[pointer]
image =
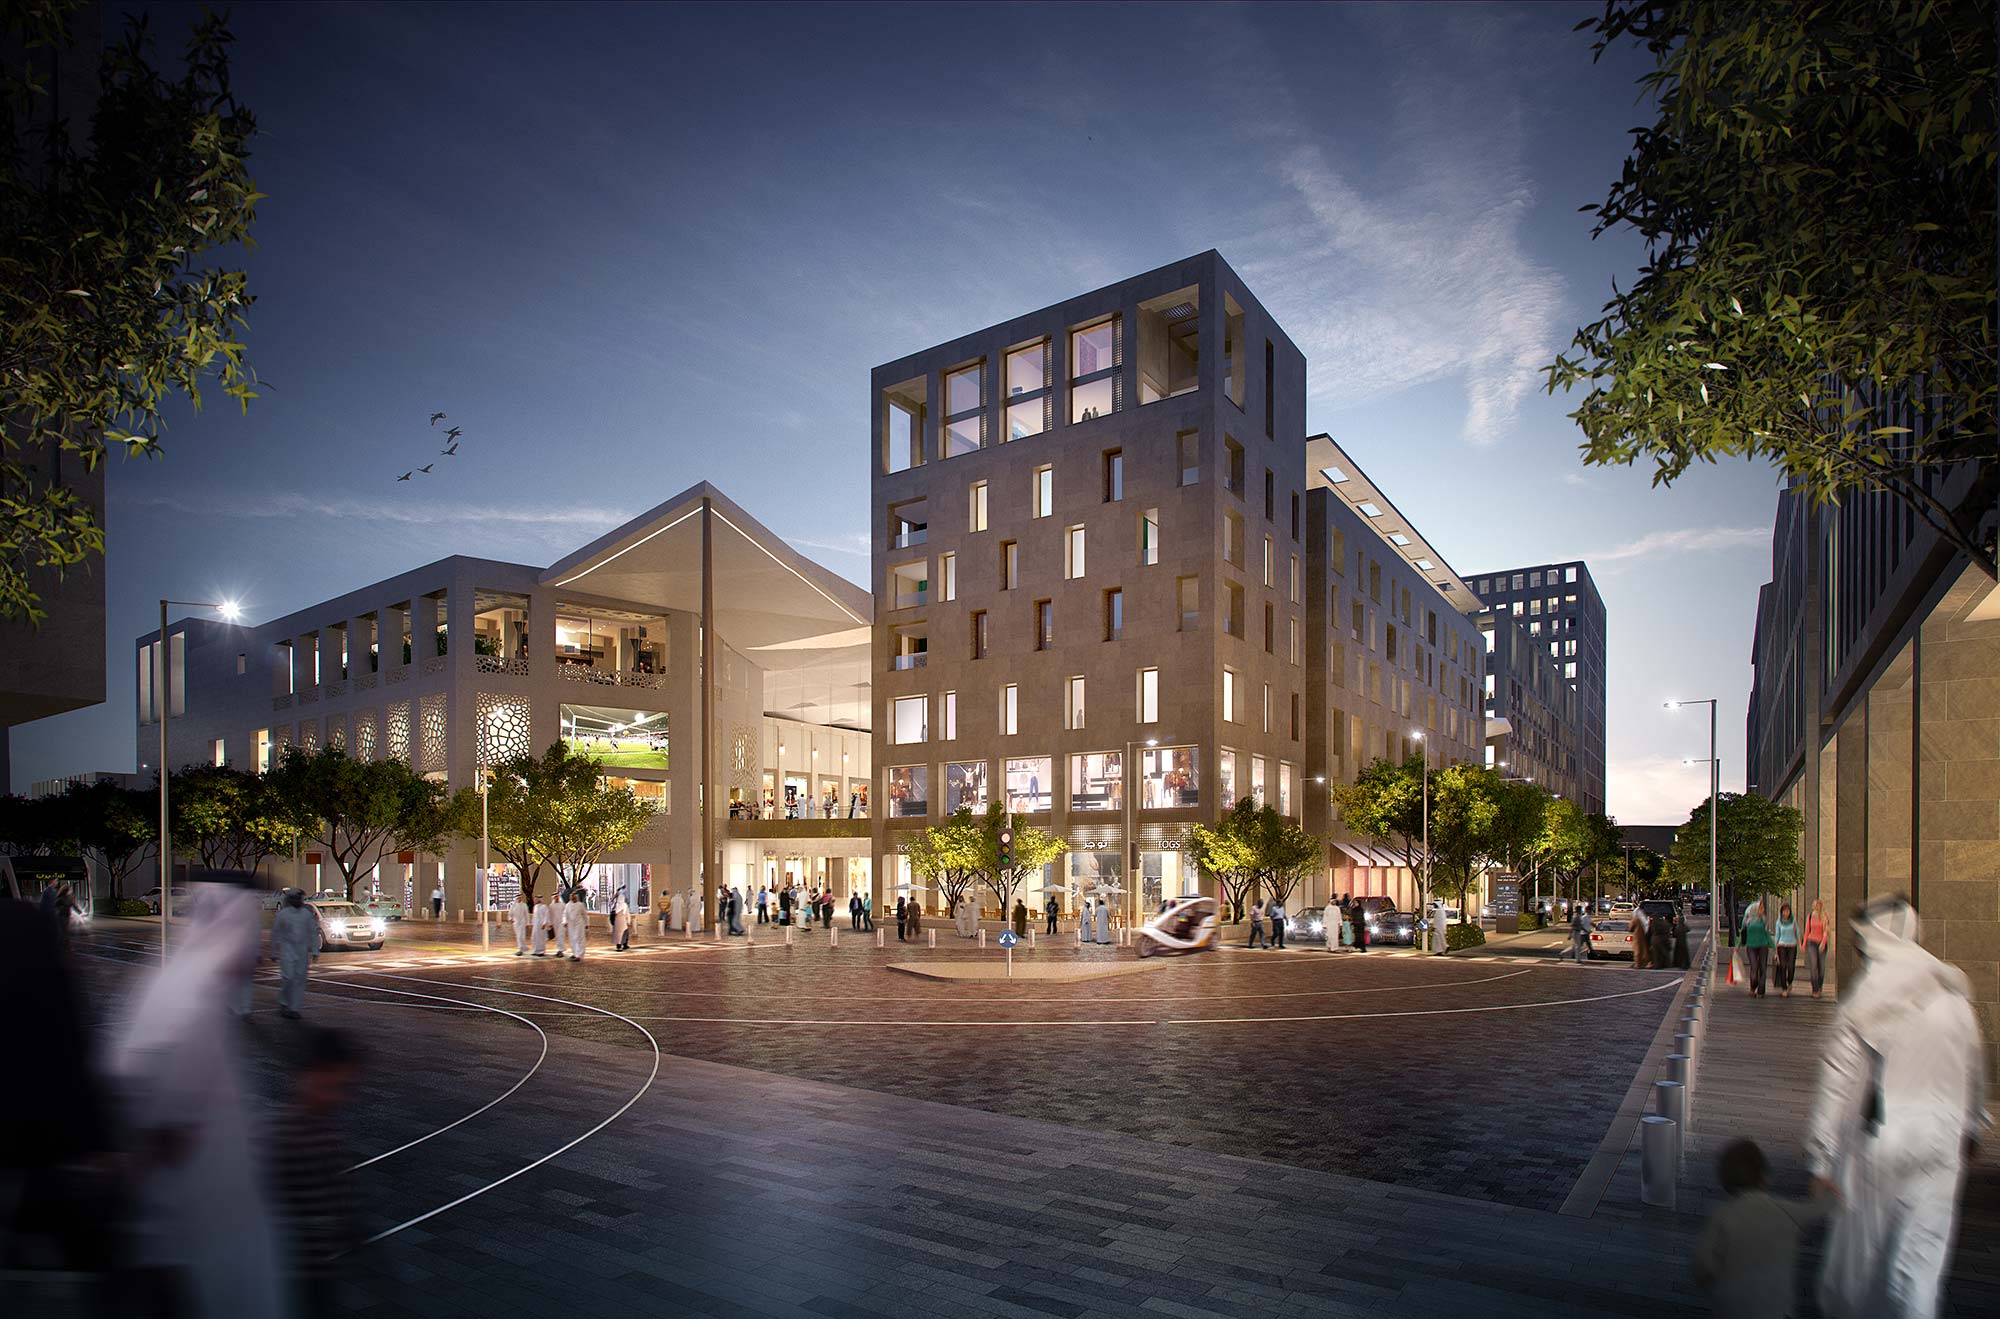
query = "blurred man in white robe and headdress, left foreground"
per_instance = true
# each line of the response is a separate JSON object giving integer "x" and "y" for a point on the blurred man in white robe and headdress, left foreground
{"x": 201, "y": 1202}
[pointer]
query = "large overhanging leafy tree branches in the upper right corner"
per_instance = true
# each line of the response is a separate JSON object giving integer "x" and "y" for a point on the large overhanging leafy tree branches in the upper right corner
{"x": 1819, "y": 217}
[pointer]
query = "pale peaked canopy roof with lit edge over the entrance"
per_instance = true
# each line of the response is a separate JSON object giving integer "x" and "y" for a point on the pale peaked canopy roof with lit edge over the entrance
{"x": 805, "y": 627}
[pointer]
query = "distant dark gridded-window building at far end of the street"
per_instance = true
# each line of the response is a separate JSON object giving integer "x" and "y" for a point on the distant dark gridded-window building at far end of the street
{"x": 1557, "y": 629}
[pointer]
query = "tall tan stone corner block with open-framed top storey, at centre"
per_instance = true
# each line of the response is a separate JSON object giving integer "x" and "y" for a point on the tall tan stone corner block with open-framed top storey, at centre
{"x": 1089, "y": 555}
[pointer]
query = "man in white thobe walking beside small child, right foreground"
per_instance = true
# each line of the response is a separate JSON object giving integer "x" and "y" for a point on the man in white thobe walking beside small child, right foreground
{"x": 1899, "y": 1116}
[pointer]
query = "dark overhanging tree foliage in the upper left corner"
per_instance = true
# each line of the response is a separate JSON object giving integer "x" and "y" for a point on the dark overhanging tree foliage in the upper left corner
{"x": 111, "y": 303}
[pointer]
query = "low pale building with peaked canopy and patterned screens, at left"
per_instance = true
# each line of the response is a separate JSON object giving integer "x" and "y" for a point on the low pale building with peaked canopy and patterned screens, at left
{"x": 465, "y": 662}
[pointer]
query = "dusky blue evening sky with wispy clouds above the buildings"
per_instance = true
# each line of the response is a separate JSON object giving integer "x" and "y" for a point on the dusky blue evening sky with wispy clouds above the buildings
{"x": 633, "y": 247}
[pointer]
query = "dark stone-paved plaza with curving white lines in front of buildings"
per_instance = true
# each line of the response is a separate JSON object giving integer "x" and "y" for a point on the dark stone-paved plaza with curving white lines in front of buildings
{"x": 1231, "y": 1134}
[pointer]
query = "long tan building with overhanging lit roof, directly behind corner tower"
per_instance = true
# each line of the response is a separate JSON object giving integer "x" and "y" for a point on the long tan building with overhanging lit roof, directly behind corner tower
{"x": 1395, "y": 662}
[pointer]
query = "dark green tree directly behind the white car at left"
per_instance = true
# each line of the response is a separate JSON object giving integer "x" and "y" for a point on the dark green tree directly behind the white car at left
{"x": 359, "y": 810}
